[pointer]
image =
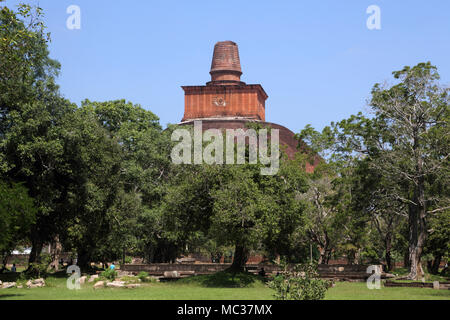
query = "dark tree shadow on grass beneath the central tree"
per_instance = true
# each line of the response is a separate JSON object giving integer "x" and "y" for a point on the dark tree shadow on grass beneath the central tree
{"x": 223, "y": 280}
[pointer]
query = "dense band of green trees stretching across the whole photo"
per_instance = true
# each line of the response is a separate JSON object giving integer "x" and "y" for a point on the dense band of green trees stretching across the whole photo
{"x": 97, "y": 180}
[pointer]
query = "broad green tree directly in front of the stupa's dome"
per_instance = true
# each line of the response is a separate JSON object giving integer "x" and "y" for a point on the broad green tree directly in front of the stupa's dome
{"x": 234, "y": 205}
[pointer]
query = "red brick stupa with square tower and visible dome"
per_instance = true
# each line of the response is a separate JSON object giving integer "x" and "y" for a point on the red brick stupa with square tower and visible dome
{"x": 228, "y": 103}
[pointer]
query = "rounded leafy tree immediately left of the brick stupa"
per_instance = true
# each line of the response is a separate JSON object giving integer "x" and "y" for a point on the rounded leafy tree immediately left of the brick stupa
{"x": 121, "y": 161}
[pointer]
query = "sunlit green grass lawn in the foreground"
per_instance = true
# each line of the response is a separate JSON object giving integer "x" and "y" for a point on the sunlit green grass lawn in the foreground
{"x": 213, "y": 287}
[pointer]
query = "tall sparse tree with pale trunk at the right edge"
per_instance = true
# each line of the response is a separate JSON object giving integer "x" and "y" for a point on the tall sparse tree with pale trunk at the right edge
{"x": 415, "y": 114}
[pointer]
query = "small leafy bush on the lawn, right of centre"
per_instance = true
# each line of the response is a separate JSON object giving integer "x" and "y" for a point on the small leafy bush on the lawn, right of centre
{"x": 302, "y": 283}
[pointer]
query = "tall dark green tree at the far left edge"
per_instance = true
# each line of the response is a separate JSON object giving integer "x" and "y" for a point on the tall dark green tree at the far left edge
{"x": 31, "y": 113}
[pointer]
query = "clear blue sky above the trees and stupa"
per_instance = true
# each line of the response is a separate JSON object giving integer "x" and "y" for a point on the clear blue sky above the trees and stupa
{"x": 316, "y": 59}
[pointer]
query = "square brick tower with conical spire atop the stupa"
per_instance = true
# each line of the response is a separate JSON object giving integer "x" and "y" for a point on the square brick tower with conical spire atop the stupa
{"x": 225, "y": 96}
